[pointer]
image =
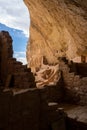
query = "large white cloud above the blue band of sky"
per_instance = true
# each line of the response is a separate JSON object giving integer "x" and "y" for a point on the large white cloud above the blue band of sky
{"x": 14, "y": 14}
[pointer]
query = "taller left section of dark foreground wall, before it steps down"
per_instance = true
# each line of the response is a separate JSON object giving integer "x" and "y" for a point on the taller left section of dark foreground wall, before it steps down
{"x": 21, "y": 110}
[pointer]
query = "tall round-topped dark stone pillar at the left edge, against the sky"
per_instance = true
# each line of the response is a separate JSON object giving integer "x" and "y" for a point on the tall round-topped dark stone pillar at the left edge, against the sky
{"x": 5, "y": 53}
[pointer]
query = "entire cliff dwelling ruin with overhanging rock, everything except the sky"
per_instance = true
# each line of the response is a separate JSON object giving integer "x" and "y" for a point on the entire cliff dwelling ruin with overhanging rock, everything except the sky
{"x": 50, "y": 92}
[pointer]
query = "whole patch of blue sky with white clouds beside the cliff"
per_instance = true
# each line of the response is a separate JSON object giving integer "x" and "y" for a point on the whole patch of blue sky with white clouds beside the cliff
{"x": 14, "y": 17}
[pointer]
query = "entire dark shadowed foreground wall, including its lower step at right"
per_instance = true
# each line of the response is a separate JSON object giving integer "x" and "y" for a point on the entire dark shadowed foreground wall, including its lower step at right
{"x": 28, "y": 109}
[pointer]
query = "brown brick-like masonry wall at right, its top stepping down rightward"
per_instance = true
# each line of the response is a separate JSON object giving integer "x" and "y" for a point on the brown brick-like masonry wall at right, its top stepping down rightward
{"x": 75, "y": 86}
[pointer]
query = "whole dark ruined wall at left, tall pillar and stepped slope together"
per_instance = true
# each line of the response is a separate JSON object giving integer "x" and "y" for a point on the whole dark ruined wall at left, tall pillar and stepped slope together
{"x": 12, "y": 72}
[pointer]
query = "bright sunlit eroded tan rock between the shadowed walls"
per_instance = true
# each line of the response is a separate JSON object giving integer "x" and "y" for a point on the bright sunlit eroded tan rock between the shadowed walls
{"x": 48, "y": 75}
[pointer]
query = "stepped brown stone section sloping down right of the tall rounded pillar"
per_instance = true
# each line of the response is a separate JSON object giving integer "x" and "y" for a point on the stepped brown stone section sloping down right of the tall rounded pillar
{"x": 22, "y": 76}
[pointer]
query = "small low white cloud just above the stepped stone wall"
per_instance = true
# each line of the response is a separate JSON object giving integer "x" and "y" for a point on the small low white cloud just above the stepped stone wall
{"x": 21, "y": 56}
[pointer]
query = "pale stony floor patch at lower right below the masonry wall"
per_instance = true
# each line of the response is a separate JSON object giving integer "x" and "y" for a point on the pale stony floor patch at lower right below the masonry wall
{"x": 75, "y": 112}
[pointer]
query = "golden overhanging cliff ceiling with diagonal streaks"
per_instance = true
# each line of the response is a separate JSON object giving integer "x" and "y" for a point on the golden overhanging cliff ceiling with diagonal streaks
{"x": 58, "y": 28}
